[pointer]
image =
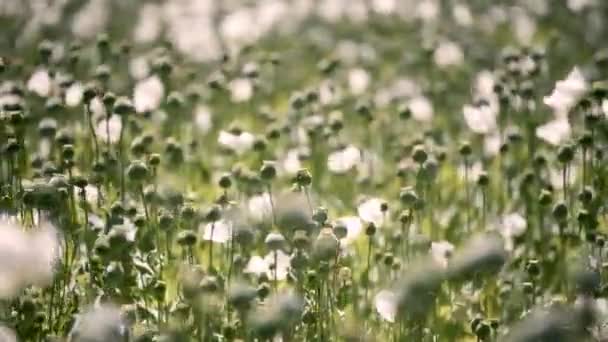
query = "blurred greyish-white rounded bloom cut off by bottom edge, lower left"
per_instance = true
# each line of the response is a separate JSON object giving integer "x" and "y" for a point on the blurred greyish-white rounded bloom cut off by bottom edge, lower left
{"x": 100, "y": 323}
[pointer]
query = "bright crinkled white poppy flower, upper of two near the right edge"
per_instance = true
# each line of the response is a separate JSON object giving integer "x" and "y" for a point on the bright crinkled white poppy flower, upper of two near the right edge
{"x": 567, "y": 92}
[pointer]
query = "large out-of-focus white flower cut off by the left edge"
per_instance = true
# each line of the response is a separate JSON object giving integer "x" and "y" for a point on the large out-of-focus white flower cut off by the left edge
{"x": 26, "y": 258}
